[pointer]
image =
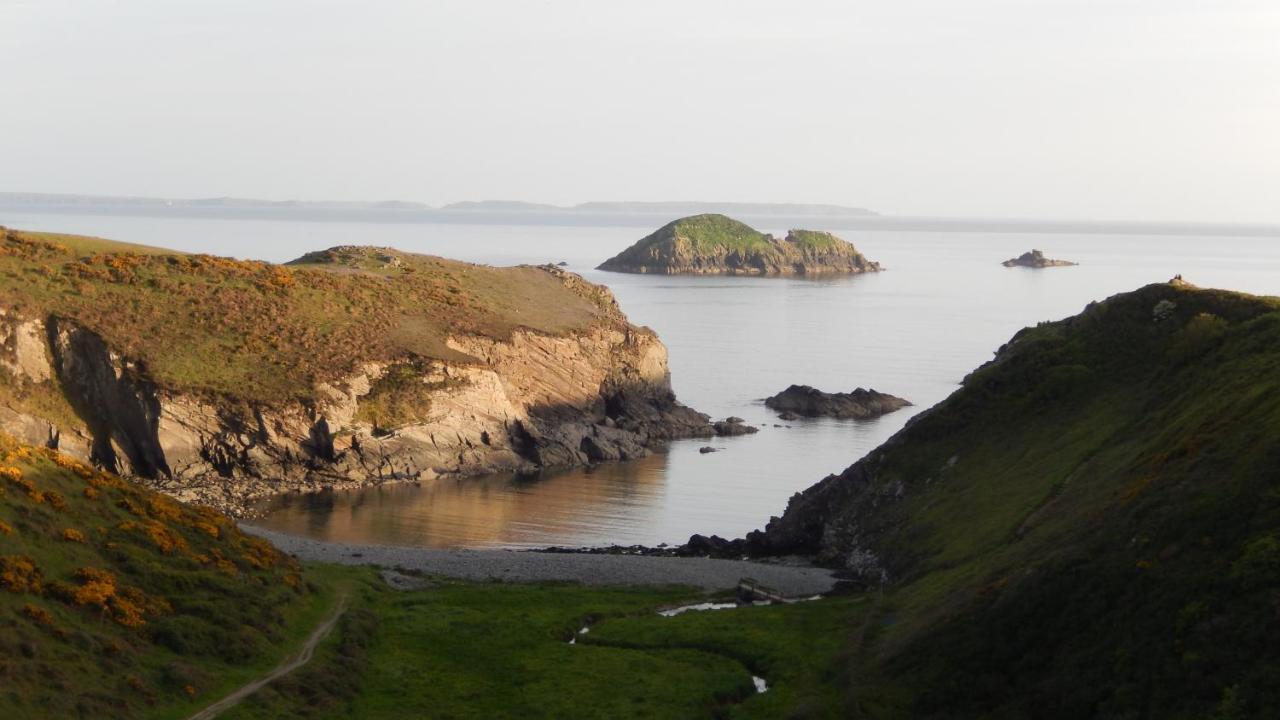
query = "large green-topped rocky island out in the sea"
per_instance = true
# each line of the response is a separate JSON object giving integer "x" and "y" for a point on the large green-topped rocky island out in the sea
{"x": 717, "y": 245}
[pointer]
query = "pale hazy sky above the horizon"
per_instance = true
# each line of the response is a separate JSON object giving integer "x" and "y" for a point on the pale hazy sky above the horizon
{"x": 1118, "y": 110}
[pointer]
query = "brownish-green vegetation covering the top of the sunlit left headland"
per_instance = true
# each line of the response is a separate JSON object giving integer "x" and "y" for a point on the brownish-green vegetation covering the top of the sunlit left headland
{"x": 258, "y": 331}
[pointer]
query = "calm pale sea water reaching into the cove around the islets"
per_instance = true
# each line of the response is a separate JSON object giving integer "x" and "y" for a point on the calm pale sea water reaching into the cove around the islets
{"x": 943, "y": 308}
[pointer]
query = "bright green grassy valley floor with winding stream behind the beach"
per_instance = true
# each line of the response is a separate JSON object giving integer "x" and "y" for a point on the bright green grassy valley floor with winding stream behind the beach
{"x": 465, "y": 650}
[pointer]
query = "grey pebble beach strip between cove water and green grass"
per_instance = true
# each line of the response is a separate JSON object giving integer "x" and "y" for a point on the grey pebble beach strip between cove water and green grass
{"x": 520, "y": 567}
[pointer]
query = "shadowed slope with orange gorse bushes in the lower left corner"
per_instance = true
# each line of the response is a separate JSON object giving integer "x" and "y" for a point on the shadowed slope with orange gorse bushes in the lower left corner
{"x": 120, "y": 603}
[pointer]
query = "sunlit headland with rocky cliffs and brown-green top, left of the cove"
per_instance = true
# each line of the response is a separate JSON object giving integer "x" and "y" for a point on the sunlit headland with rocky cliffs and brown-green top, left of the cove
{"x": 222, "y": 381}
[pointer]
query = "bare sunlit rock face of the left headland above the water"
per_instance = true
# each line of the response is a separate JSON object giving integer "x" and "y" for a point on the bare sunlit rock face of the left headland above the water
{"x": 524, "y": 403}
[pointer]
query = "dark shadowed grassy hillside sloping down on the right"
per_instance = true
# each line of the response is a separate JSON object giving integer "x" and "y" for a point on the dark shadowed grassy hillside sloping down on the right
{"x": 1089, "y": 527}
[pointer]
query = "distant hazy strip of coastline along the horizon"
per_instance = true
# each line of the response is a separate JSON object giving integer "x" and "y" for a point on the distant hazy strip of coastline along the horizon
{"x": 772, "y": 216}
